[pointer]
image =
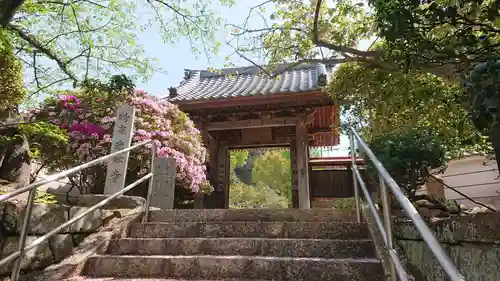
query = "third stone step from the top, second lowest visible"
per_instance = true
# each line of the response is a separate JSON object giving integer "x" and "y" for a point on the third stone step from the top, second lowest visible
{"x": 244, "y": 246}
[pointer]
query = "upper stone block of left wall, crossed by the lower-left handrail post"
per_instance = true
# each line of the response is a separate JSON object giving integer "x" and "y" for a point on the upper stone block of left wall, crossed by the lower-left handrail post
{"x": 44, "y": 217}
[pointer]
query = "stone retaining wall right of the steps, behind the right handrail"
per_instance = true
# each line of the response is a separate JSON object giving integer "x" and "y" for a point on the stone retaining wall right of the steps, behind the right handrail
{"x": 473, "y": 243}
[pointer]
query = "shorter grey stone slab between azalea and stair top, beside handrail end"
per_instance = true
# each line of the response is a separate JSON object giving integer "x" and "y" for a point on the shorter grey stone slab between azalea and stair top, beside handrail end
{"x": 163, "y": 191}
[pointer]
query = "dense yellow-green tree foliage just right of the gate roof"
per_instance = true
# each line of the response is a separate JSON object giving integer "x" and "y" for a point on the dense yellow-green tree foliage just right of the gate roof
{"x": 382, "y": 101}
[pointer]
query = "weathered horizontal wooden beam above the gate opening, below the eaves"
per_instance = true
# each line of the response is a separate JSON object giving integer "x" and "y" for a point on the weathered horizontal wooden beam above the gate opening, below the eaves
{"x": 252, "y": 123}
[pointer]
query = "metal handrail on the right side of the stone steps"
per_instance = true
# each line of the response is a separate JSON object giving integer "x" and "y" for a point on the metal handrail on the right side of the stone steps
{"x": 387, "y": 181}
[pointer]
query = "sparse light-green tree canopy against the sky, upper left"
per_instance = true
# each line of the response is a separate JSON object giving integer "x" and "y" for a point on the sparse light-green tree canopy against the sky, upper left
{"x": 69, "y": 41}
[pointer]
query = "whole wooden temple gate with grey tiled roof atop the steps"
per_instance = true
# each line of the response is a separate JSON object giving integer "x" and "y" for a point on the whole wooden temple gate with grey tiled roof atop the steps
{"x": 243, "y": 108}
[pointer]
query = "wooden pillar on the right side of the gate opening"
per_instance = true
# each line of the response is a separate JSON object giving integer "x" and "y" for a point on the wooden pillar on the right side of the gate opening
{"x": 302, "y": 163}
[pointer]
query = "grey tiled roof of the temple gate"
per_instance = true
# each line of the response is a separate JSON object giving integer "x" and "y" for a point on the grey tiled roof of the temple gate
{"x": 249, "y": 81}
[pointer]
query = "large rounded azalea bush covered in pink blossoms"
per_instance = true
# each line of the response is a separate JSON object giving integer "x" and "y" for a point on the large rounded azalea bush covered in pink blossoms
{"x": 89, "y": 116}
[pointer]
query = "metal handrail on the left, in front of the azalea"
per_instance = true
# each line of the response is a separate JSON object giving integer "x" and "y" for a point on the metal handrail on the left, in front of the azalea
{"x": 31, "y": 188}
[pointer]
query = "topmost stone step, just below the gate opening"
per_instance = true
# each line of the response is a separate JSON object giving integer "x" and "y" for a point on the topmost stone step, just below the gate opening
{"x": 196, "y": 215}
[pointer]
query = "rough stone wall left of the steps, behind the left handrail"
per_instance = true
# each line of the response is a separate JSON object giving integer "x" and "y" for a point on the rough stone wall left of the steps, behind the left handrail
{"x": 46, "y": 217}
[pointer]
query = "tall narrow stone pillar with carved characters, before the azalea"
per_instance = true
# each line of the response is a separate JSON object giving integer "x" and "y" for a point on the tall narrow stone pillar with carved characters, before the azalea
{"x": 122, "y": 137}
